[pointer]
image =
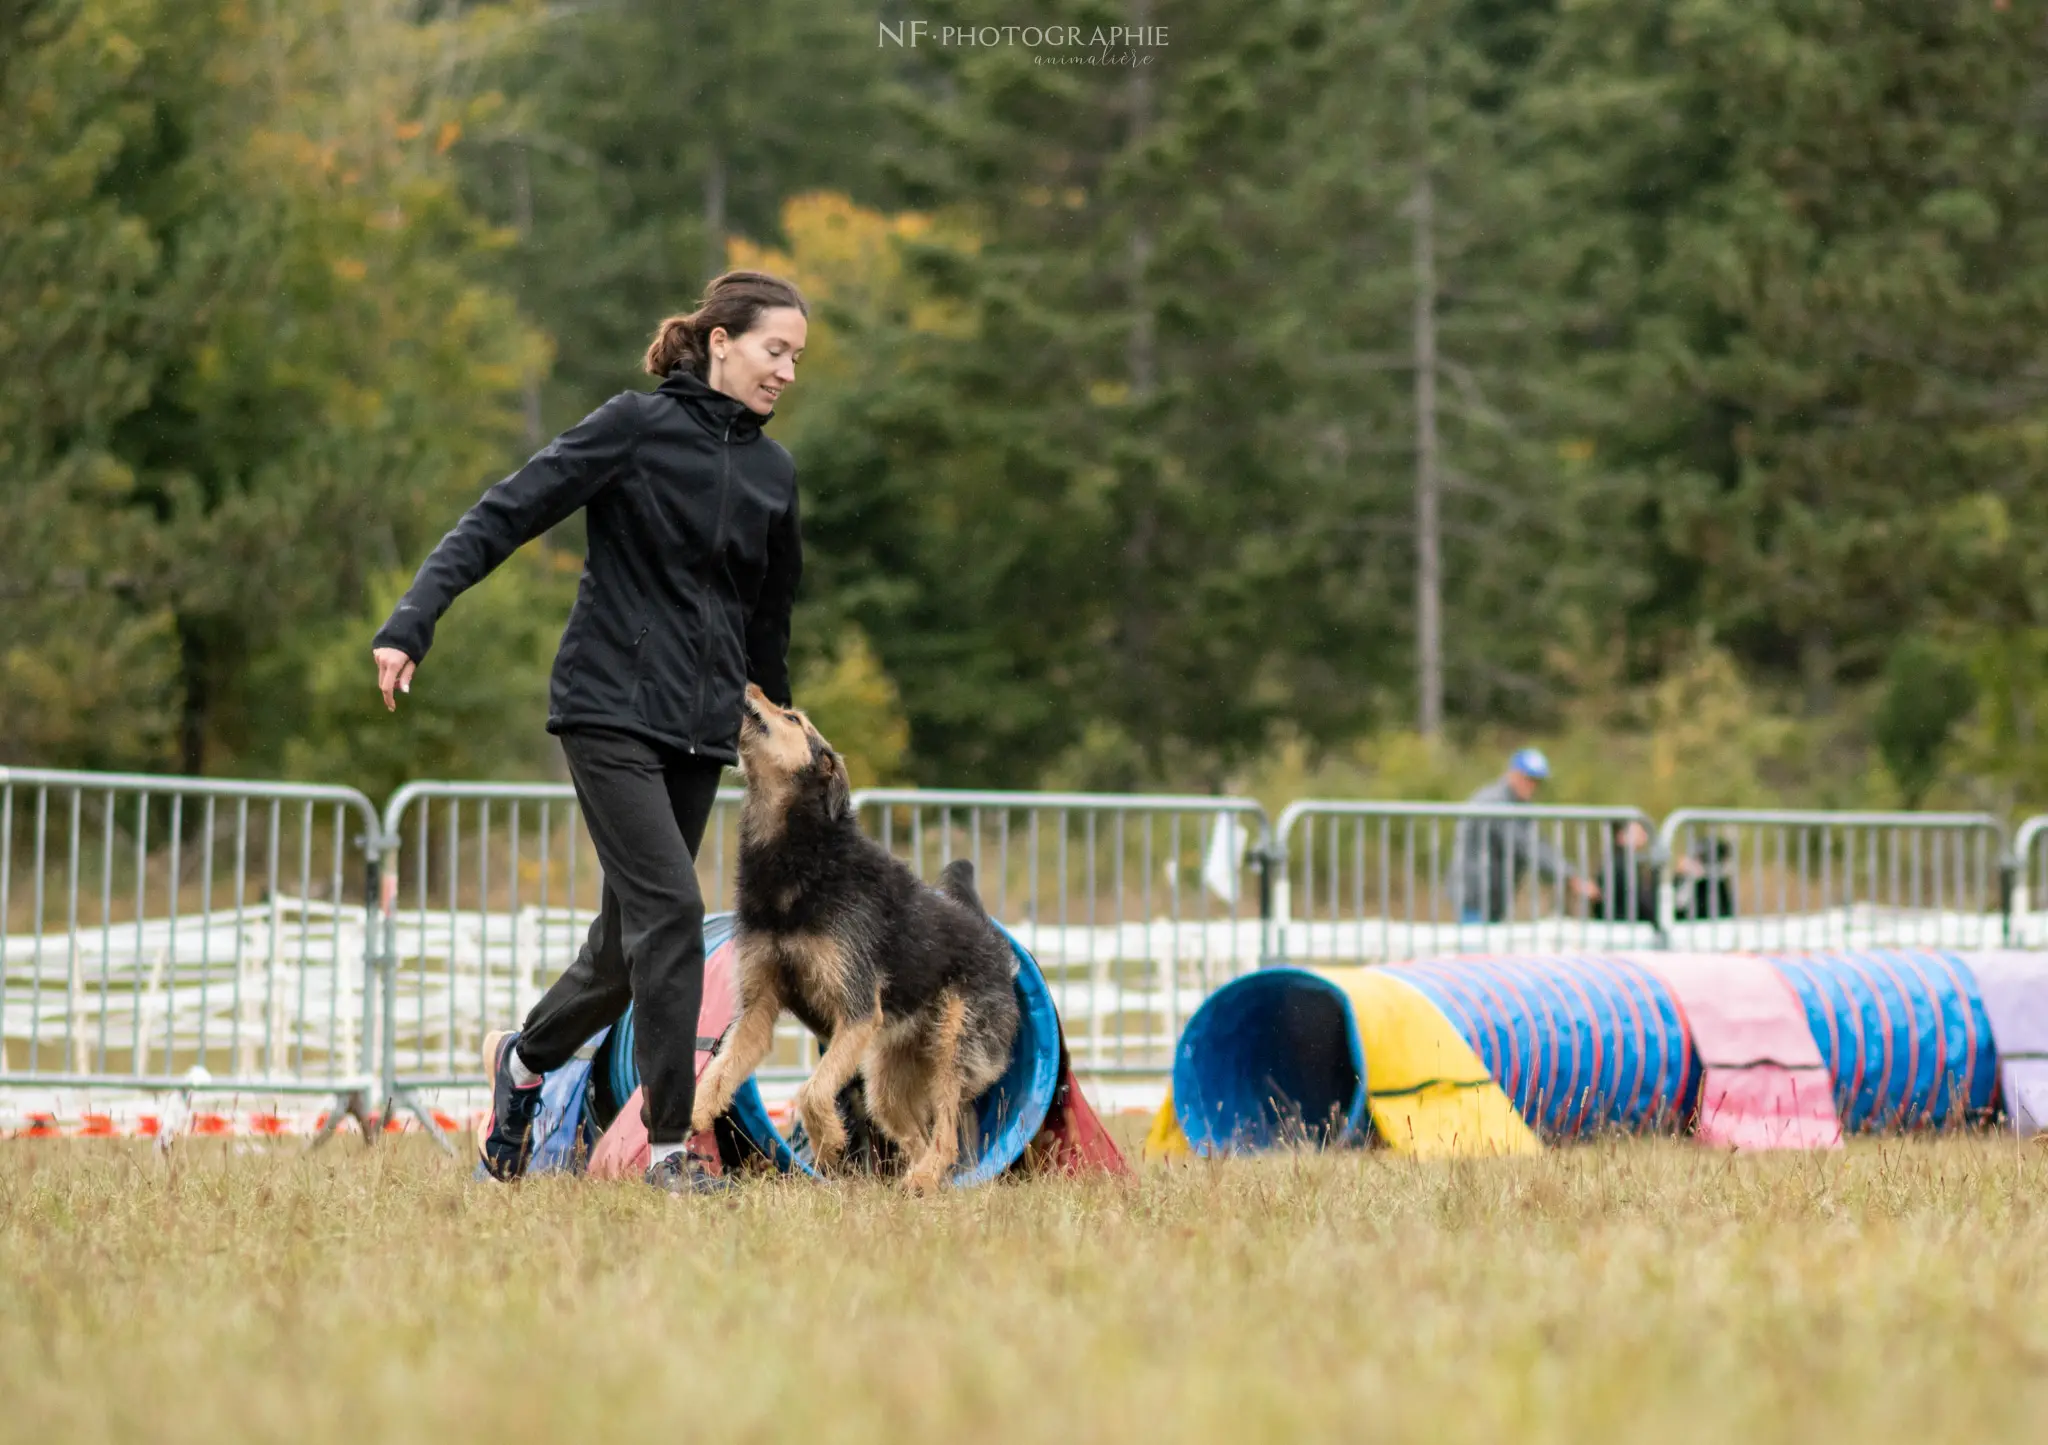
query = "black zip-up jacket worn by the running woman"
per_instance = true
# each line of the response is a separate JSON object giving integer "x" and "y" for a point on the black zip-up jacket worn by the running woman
{"x": 691, "y": 572}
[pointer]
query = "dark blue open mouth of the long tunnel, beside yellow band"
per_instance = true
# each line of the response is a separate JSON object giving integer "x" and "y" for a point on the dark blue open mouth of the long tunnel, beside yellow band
{"x": 1271, "y": 1059}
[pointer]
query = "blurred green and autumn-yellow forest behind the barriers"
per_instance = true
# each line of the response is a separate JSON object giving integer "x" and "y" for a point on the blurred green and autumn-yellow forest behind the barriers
{"x": 1707, "y": 339}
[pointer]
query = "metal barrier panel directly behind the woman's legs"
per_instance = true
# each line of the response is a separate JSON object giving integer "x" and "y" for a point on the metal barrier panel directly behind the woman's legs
{"x": 490, "y": 891}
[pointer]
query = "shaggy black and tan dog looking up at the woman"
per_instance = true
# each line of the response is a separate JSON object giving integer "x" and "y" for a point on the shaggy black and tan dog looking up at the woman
{"x": 908, "y": 988}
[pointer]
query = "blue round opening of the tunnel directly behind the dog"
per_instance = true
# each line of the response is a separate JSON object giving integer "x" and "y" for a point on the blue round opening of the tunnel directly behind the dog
{"x": 1007, "y": 1119}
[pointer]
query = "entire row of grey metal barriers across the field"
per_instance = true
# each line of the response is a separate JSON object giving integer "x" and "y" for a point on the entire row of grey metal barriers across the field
{"x": 198, "y": 934}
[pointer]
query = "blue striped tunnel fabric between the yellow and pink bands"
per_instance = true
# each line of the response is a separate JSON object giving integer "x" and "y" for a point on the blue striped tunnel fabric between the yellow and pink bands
{"x": 1580, "y": 1043}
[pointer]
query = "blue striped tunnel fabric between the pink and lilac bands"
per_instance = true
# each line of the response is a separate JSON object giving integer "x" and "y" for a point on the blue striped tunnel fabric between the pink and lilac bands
{"x": 1902, "y": 1031}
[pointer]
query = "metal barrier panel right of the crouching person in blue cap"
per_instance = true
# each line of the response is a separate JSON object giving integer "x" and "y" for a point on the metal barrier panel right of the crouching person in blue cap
{"x": 1799, "y": 881}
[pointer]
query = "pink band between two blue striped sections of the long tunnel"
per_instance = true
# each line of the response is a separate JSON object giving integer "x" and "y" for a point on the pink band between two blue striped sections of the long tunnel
{"x": 1762, "y": 1078}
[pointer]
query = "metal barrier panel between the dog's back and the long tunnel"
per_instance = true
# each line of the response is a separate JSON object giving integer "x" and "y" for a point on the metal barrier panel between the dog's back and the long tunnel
{"x": 1134, "y": 906}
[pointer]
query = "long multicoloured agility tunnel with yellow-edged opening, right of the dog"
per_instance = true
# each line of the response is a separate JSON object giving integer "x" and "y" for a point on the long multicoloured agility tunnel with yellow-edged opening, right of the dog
{"x": 1492, "y": 1055}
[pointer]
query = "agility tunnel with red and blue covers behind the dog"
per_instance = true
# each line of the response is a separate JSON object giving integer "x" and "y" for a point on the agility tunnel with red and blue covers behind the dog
{"x": 1033, "y": 1116}
